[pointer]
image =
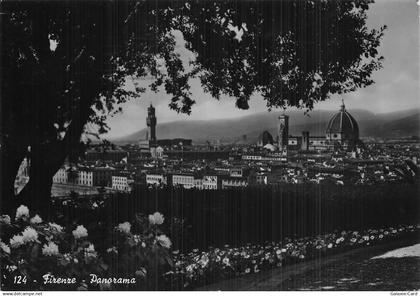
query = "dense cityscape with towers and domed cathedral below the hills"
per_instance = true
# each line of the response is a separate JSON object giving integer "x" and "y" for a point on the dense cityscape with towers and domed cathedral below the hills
{"x": 339, "y": 157}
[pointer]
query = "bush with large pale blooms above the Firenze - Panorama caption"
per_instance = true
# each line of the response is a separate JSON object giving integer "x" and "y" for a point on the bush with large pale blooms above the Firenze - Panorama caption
{"x": 39, "y": 255}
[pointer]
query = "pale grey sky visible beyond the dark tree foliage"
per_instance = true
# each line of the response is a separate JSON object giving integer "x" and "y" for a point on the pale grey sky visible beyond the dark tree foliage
{"x": 396, "y": 84}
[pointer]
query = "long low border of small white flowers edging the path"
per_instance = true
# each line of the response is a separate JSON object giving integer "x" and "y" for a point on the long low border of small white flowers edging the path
{"x": 200, "y": 268}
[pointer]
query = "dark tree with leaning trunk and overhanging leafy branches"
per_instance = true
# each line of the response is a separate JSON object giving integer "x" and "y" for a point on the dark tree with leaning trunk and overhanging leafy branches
{"x": 66, "y": 64}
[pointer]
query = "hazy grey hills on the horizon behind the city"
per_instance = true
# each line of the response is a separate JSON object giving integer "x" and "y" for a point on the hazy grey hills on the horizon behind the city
{"x": 394, "y": 124}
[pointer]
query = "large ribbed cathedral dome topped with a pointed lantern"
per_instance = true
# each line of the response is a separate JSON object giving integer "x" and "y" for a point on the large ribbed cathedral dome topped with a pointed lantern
{"x": 342, "y": 126}
